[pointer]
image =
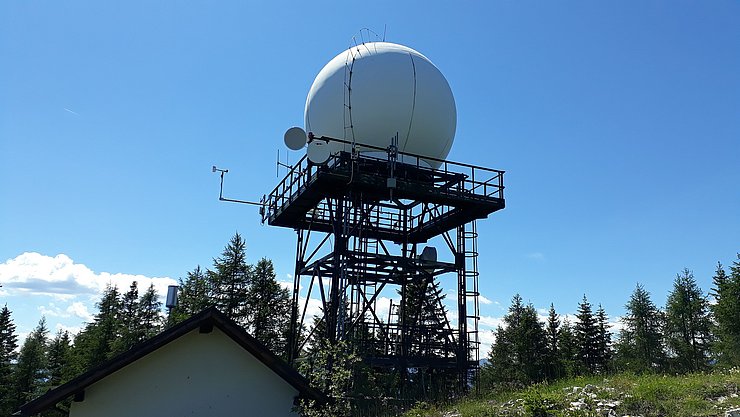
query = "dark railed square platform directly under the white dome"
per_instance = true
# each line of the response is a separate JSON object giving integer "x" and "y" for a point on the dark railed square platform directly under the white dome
{"x": 392, "y": 200}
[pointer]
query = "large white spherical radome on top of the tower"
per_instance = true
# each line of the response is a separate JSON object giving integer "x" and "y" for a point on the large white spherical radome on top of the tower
{"x": 371, "y": 92}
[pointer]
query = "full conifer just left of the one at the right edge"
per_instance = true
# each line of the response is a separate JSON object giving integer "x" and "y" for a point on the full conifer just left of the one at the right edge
{"x": 688, "y": 324}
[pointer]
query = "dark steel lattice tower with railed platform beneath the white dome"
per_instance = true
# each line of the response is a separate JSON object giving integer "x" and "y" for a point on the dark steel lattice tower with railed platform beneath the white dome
{"x": 361, "y": 225}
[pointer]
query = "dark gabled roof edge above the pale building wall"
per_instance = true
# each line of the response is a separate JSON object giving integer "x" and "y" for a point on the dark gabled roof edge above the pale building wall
{"x": 205, "y": 321}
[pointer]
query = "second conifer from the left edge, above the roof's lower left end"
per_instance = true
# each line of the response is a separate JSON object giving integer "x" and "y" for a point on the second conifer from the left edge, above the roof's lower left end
{"x": 31, "y": 373}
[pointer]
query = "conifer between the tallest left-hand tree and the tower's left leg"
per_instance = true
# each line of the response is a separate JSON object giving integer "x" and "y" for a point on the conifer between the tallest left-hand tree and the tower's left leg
{"x": 269, "y": 308}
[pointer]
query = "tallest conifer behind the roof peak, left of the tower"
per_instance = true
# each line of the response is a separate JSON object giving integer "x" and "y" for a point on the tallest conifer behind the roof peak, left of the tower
{"x": 231, "y": 280}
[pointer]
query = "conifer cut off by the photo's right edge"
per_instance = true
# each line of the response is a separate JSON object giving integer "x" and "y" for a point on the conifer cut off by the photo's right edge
{"x": 727, "y": 314}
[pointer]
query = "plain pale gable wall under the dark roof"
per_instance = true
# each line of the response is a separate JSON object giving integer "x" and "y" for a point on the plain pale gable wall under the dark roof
{"x": 195, "y": 375}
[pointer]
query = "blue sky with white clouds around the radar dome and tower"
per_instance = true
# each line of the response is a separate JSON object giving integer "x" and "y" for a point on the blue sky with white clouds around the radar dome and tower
{"x": 618, "y": 124}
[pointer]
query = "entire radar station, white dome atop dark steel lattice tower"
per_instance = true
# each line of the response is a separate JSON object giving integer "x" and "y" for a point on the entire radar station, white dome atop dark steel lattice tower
{"x": 386, "y": 226}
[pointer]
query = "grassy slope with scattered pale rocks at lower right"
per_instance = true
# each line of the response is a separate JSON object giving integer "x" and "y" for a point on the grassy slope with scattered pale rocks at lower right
{"x": 618, "y": 395}
